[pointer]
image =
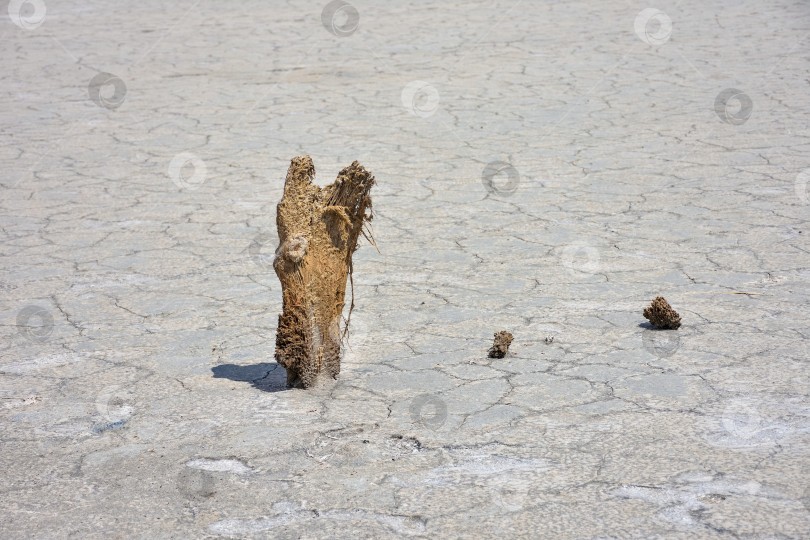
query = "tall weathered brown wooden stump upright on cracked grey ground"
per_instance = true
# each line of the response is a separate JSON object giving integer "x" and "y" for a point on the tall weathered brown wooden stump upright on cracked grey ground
{"x": 318, "y": 230}
